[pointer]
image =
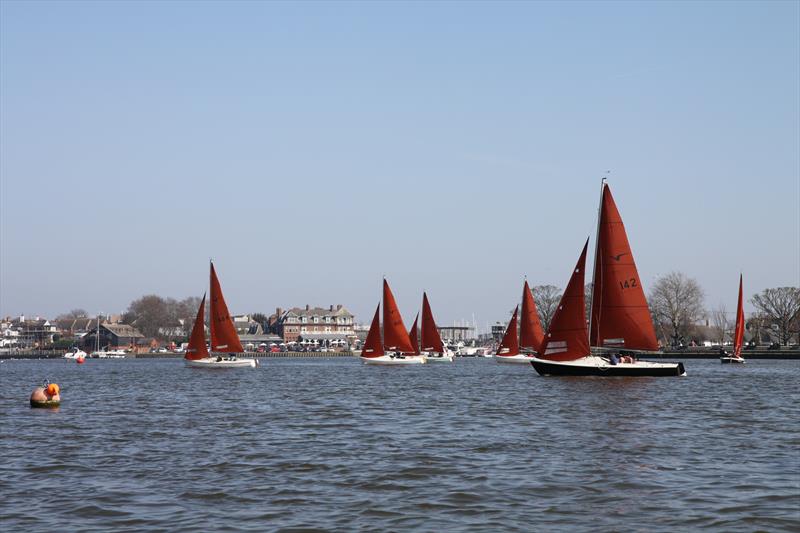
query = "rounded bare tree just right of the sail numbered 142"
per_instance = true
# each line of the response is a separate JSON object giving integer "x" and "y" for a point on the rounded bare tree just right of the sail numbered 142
{"x": 676, "y": 303}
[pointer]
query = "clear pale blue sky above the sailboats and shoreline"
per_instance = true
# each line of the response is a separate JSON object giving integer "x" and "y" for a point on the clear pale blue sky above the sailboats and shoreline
{"x": 311, "y": 148}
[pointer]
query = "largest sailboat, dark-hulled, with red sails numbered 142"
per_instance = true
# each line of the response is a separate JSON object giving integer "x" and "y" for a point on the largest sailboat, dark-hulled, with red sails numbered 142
{"x": 620, "y": 318}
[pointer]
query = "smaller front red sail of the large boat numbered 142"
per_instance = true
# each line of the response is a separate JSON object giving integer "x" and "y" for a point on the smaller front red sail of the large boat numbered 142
{"x": 567, "y": 338}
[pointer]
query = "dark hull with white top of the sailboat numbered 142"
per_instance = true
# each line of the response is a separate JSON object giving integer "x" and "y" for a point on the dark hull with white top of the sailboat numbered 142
{"x": 598, "y": 366}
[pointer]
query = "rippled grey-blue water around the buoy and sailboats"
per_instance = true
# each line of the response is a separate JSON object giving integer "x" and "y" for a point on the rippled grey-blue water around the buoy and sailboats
{"x": 329, "y": 444}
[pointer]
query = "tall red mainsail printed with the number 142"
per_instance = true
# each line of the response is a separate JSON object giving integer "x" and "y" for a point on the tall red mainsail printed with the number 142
{"x": 620, "y": 316}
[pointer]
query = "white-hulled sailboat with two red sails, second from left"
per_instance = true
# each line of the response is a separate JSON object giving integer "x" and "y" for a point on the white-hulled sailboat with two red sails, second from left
{"x": 396, "y": 347}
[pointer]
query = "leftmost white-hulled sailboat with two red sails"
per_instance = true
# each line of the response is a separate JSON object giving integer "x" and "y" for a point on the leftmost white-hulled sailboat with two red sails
{"x": 224, "y": 338}
